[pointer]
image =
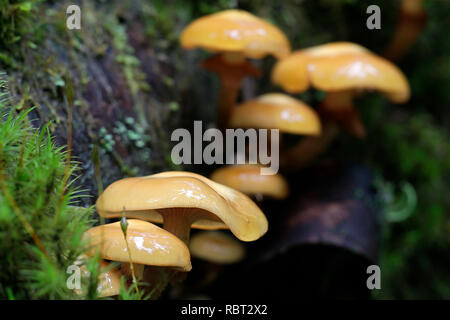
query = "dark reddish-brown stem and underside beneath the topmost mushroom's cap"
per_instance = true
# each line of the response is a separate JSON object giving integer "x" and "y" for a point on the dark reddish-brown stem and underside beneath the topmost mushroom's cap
{"x": 232, "y": 68}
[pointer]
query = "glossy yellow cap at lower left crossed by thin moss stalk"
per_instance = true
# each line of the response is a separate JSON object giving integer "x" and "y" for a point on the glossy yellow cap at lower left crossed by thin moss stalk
{"x": 149, "y": 244}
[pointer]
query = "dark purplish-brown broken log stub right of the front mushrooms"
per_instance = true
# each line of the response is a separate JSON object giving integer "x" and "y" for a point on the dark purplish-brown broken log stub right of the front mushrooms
{"x": 329, "y": 212}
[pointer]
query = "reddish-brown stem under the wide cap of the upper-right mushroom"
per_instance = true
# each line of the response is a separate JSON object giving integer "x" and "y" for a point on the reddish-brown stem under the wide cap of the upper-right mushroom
{"x": 338, "y": 106}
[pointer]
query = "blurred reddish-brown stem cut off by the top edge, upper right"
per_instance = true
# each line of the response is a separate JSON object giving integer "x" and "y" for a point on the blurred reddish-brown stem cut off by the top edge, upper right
{"x": 411, "y": 21}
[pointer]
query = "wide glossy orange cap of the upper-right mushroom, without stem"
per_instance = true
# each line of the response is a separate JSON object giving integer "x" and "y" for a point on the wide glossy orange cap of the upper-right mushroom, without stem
{"x": 341, "y": 66}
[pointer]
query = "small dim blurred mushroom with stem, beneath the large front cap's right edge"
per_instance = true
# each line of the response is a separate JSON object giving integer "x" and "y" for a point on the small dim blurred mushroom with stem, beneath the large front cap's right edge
{"x": 217, "y": 249}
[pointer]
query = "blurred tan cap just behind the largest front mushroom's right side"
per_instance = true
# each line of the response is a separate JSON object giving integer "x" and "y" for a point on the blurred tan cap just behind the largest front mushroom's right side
{"x": 247, "y": 178}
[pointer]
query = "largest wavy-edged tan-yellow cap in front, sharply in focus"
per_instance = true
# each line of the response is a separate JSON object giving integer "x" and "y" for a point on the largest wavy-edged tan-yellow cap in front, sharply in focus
{"x": 219, "y": 206}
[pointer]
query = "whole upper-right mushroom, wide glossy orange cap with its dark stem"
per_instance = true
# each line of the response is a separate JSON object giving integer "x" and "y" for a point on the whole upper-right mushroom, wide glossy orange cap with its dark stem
{"x": 342, "y": 69}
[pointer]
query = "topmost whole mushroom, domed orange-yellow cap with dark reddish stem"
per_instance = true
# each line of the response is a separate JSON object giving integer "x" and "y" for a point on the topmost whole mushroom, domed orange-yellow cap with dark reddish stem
{"x": 235, "y": 35}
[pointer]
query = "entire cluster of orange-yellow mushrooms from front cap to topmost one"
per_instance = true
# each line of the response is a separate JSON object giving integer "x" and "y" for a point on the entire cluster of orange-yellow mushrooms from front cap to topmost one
{"x": 183, "y": 200}
